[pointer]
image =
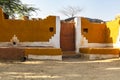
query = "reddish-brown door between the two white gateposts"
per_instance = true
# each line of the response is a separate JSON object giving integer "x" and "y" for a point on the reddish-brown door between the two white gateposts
{"x": 67, "y": 36}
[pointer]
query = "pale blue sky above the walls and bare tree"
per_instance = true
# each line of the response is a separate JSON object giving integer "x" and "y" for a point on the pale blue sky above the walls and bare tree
{"x": 101, "y": 9}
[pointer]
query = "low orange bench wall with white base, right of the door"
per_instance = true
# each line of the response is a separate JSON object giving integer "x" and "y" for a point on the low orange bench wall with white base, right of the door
{"x": 100, "y": 53}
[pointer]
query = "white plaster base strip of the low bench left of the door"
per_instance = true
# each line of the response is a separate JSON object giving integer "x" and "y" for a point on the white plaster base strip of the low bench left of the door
{"x": 45, "y": 57}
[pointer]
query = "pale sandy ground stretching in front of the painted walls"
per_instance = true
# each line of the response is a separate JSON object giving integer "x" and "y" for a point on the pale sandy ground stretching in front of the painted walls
{"x": 68, "y": 69}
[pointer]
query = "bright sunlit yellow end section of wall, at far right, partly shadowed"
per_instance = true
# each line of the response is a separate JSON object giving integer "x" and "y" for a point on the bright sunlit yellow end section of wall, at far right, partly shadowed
{"x": 112, "y": 31}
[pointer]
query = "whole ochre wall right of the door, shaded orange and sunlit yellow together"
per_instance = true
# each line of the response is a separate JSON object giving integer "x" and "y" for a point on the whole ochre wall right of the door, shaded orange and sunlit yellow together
{"x": 101, "y": 33}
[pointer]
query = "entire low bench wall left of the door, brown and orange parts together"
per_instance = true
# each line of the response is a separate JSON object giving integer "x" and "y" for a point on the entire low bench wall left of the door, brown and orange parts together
{"x": 7, "y": 53}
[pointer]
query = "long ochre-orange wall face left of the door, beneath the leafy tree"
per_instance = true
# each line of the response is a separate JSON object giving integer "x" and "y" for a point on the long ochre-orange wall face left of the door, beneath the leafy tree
{"x": 27, "y": 30}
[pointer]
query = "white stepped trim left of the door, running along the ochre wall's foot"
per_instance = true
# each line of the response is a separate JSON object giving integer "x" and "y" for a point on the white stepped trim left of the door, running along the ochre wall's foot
{"x": 53, "y": 42}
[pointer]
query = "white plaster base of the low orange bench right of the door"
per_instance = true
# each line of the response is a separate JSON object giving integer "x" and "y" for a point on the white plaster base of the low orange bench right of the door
{"x": 100, "y": 56}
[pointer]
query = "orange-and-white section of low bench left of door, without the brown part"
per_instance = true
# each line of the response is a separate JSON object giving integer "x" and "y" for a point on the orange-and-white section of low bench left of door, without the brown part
{"x": 44, "y": 53}
